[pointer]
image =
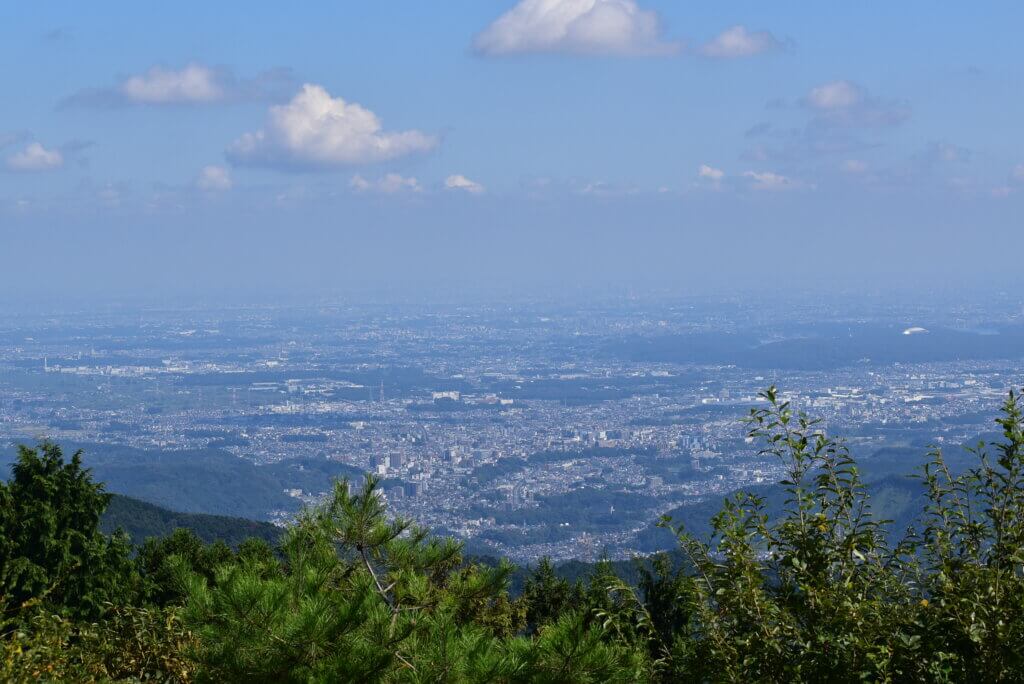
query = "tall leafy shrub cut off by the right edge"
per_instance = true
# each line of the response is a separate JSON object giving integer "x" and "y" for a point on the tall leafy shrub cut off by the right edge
{"x": 972, "y": 569}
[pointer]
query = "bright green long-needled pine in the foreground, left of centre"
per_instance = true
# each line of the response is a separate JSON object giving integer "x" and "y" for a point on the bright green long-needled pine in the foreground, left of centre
{"x": 364, "y": 597}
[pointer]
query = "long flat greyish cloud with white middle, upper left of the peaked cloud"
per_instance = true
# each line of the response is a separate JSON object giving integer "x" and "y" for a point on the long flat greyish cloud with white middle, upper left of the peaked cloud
{"x": 193, "y": 84}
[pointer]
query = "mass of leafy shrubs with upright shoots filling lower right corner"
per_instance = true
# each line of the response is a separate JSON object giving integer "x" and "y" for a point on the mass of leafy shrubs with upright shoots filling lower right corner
{"x": 819, "y": 594}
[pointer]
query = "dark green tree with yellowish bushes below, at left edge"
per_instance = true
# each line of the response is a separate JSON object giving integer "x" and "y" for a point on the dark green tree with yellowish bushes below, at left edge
{"x": 74, "y": 604}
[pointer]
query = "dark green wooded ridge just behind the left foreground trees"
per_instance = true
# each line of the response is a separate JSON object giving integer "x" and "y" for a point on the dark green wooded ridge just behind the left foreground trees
{"x": 143, "y": 521}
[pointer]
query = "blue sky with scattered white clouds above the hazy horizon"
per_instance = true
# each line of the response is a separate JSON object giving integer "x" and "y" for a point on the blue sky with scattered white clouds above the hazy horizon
{"x": 208, "y": 148}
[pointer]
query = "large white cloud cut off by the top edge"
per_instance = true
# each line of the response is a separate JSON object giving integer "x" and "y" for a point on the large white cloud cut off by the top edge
{"x": 584, "y": 27}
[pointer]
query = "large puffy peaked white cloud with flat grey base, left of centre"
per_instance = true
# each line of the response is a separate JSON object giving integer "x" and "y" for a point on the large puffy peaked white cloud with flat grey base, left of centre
{"x": 318, "y": 132}
